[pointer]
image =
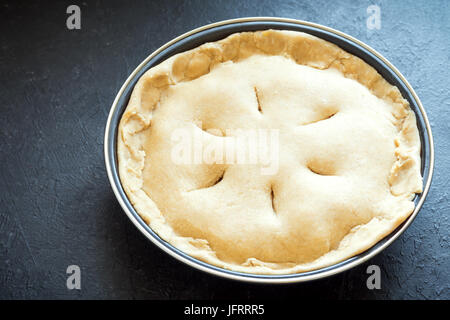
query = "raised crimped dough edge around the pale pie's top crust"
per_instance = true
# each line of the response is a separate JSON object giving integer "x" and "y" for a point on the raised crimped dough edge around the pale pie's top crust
{"x": 306, "y": 50}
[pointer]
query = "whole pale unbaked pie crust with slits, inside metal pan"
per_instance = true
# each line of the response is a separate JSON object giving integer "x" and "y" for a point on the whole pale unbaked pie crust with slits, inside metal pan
{"x": 348, "y": 155}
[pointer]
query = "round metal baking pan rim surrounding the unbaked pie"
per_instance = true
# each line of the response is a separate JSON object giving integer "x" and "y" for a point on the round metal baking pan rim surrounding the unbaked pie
{"x": 220, "y": 30}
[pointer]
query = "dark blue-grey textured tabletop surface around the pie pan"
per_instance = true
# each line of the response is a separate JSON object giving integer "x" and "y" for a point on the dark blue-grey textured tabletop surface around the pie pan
{"x": 56, "y": 205}
